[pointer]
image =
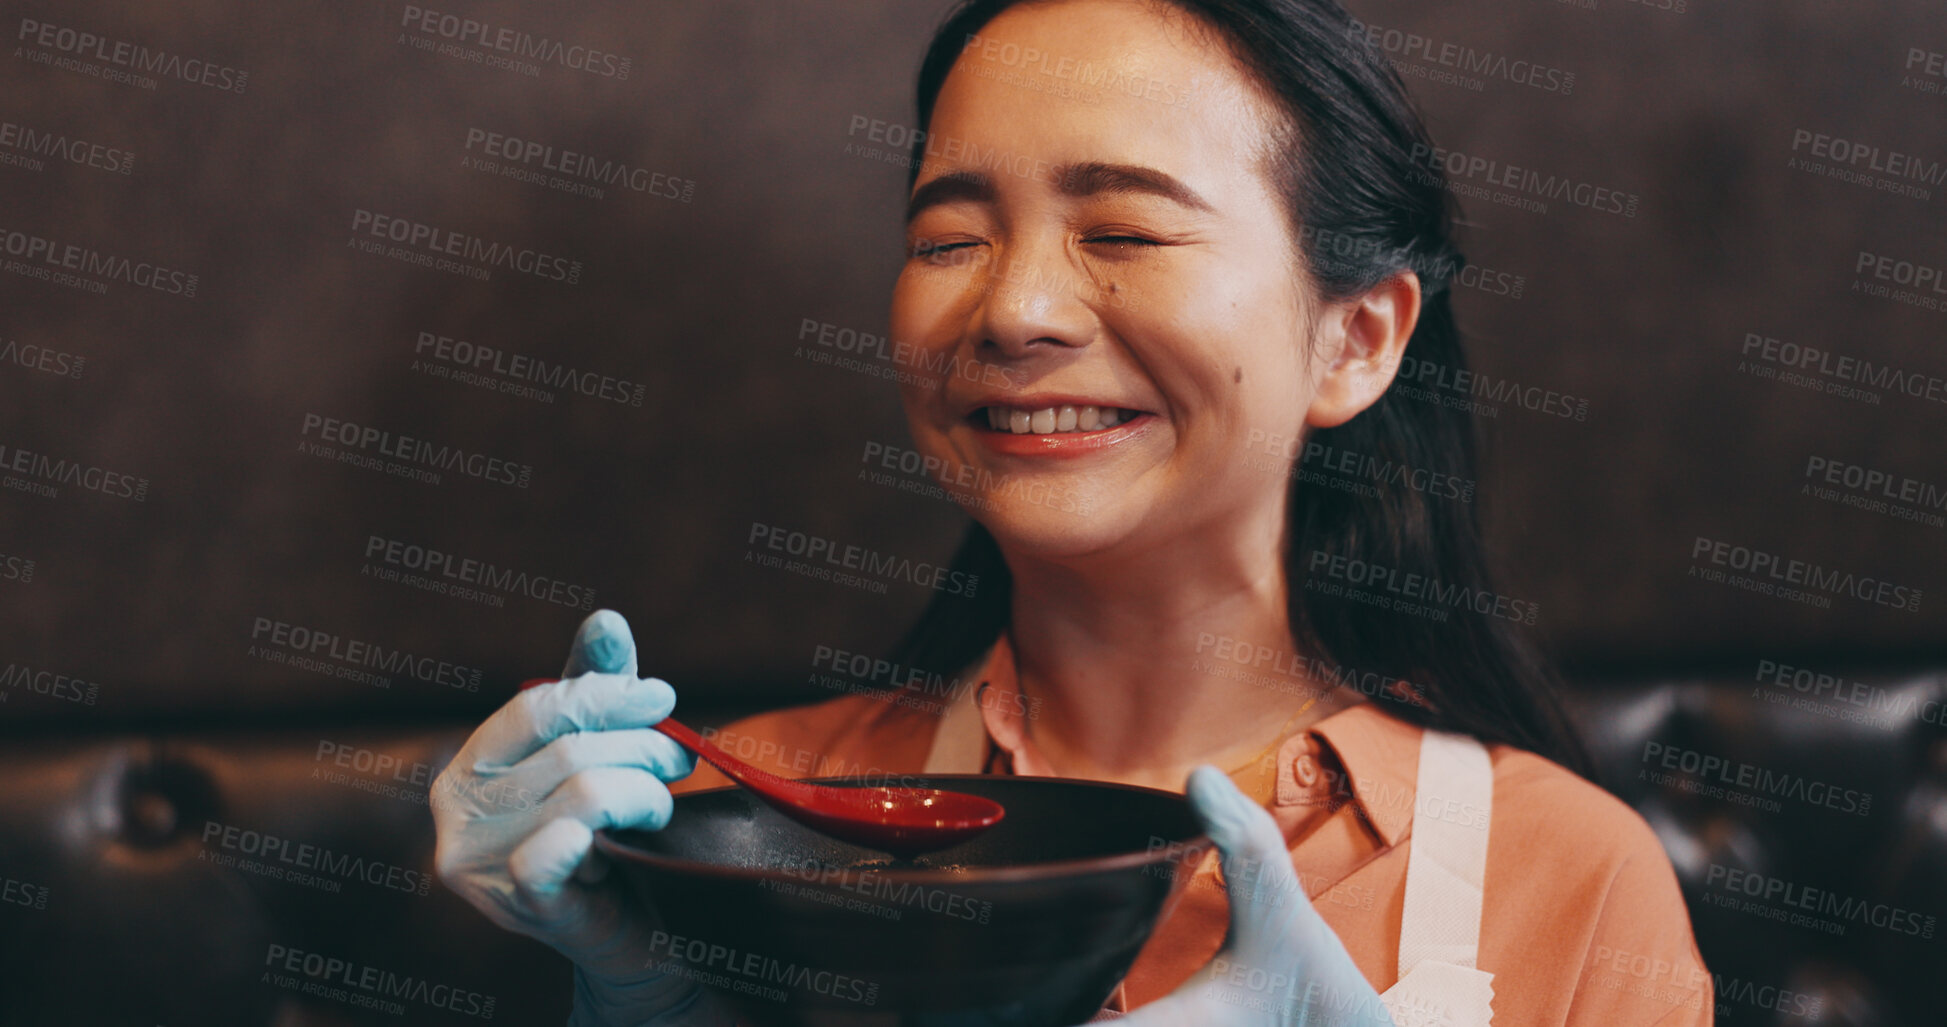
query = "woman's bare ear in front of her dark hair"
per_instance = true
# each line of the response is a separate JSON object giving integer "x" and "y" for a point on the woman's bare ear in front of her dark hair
{"x": 1360, "y": 348}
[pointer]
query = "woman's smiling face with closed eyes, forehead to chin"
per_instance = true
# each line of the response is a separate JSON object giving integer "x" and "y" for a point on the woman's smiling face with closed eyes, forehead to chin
{"x": 1093, "y": 229}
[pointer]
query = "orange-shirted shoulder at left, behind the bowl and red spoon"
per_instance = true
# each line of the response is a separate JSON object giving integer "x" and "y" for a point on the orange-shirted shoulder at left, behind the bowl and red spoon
{"x": 848, "y": 736}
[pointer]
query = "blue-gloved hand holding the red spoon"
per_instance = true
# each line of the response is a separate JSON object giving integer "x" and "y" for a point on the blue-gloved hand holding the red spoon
{"x": 517, "y": 814}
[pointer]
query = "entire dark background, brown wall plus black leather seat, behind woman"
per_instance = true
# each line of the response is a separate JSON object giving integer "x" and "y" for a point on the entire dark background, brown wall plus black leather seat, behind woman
{"x": 153, "y": 603}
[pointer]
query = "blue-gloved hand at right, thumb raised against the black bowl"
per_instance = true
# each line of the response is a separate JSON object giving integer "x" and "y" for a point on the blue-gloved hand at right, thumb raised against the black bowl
{"x": 1280, "y": 966}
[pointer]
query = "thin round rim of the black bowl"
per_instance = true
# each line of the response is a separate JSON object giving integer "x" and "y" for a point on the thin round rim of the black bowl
{"x": 1196, "y": 845}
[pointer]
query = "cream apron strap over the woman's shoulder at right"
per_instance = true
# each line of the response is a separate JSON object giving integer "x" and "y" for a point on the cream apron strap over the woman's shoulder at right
{"x": 1446, "y": 868}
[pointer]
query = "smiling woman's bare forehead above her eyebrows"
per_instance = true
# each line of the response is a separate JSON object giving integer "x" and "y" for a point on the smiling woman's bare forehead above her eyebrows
{"x": 1111, "y": 81}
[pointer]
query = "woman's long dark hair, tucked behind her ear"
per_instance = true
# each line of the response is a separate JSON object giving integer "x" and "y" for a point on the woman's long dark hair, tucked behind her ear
{"x": 1366, "y": 206}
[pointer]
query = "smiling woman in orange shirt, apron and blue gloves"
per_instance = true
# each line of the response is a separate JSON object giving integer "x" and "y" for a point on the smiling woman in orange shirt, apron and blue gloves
{"x": 1165, "y": 250}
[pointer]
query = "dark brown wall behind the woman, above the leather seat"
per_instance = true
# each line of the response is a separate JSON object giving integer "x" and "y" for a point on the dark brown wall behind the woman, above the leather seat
{"x": 702, "y": 303}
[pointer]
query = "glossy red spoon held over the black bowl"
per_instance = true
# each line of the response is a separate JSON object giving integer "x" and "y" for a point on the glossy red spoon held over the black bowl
{"x": 904, "y": 821}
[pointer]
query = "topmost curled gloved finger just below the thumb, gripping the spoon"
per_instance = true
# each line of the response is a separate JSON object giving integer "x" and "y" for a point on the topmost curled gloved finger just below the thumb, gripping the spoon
{"x": 546, "y": 712}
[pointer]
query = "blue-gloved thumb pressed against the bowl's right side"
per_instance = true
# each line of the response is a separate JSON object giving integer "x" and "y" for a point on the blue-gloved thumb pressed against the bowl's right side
{"x": 1259, "y": 878}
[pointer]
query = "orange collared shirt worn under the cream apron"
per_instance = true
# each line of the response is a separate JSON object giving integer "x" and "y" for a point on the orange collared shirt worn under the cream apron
{"x": 1582, "y": 917}
